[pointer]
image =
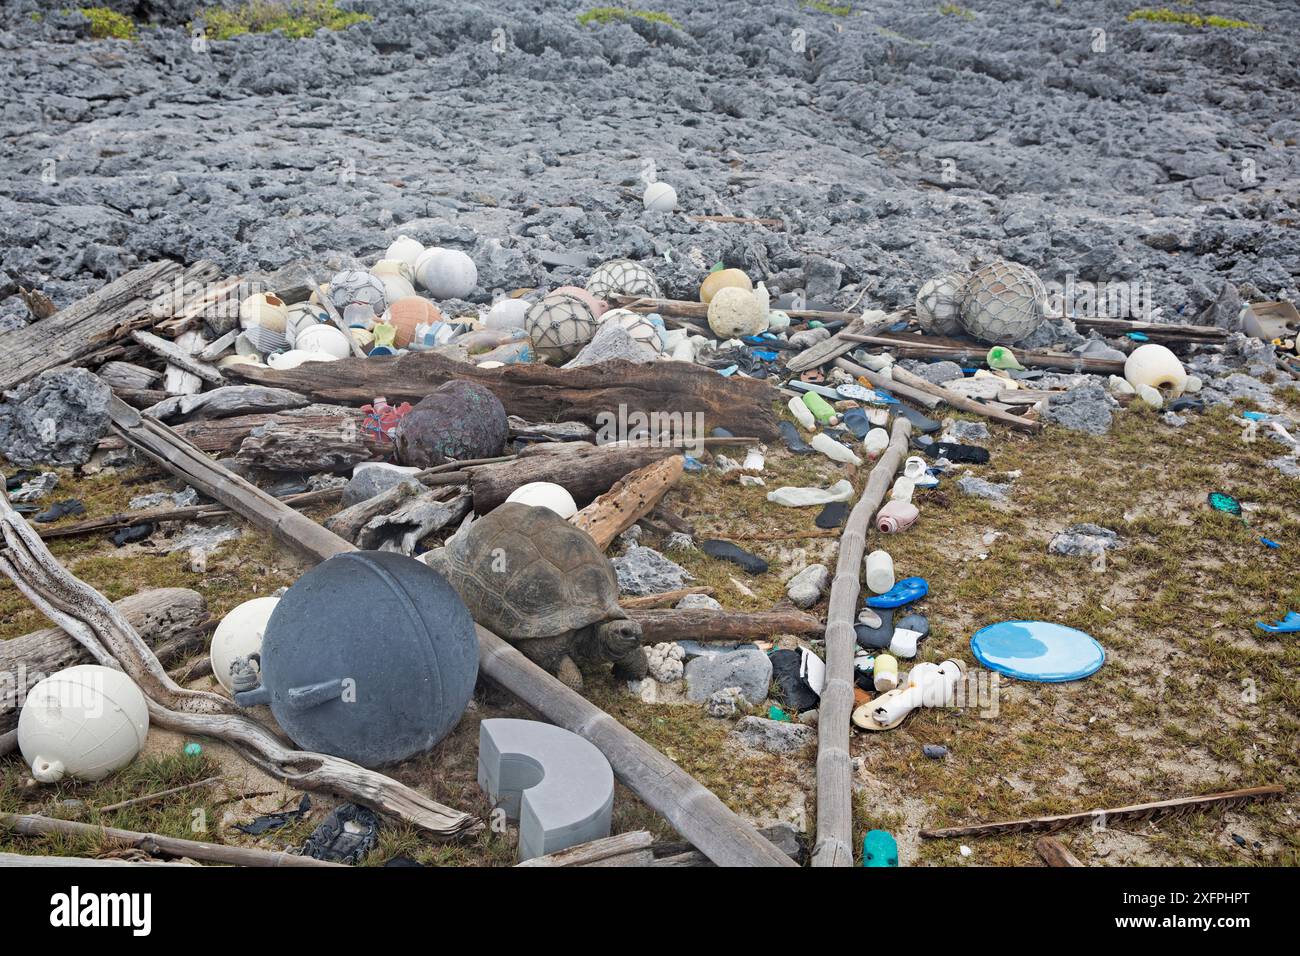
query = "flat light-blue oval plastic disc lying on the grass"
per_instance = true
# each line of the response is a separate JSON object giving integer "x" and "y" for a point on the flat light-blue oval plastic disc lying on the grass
{"x": 1038, "y": 651}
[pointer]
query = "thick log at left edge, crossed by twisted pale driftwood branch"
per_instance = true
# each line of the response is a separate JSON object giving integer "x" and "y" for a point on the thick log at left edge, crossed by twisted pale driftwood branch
{"x": 157, "y": 616}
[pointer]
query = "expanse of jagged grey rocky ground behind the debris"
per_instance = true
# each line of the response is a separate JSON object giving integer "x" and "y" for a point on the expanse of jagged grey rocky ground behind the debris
{"x": 892, "y": 144}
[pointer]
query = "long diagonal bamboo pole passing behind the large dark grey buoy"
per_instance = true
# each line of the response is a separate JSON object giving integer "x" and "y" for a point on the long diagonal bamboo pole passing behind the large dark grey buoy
{"x": 696, "y": 814}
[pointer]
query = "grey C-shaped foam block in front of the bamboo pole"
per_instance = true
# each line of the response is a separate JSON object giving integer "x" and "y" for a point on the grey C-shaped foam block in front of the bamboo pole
{"x": 557, "y": 785}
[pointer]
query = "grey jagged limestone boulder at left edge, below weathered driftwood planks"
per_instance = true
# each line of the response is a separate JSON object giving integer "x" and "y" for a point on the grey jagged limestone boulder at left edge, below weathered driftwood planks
{"x": 58, "y": 418}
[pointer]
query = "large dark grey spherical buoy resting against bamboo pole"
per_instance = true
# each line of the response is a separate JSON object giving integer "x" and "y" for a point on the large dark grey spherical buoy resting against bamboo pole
{"x": 371, "y": 657}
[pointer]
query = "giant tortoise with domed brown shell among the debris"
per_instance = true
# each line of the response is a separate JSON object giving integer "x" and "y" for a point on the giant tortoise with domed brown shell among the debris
{"x": 543, "y": 585}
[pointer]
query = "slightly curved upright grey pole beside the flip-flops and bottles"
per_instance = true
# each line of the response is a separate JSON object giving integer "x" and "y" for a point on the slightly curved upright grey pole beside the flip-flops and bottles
{"x": 834, "y": 768}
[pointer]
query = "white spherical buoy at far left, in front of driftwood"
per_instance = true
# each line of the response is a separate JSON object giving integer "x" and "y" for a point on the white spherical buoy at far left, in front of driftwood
{"x": 83, "y": 723}
